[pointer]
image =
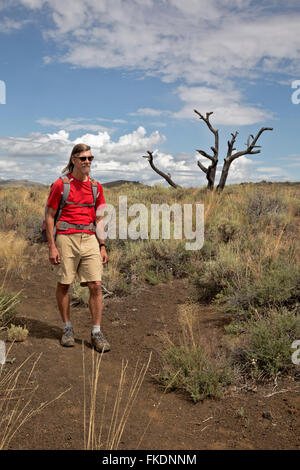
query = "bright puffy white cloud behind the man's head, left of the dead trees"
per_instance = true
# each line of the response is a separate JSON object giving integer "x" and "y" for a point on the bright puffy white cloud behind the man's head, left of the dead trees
{"x": 43, "y": 156}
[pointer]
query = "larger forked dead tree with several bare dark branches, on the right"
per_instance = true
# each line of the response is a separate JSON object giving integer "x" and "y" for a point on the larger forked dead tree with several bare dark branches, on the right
{"x": 211, "y": 170}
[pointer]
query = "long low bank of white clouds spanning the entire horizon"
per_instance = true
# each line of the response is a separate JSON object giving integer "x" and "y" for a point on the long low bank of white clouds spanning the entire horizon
{"x": 41, "y": 157}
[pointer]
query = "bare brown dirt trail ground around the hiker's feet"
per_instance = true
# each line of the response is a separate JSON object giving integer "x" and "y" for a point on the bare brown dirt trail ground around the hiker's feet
{"x": 265, "y": 417}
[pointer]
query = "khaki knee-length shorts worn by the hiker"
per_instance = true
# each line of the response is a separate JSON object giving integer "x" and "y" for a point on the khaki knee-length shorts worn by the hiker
{"x": 79, "y": 256}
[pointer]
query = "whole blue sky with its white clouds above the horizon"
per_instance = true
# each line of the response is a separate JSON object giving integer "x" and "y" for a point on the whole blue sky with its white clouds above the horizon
{"x": 125, "y": 76}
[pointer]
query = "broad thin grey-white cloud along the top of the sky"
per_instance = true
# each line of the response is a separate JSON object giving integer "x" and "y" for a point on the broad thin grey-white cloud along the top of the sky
{"x": 200, "y": 41}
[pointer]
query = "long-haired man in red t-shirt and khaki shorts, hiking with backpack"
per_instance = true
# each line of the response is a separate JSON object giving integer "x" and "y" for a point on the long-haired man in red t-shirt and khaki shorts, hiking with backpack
{"x": 76, "y": 249}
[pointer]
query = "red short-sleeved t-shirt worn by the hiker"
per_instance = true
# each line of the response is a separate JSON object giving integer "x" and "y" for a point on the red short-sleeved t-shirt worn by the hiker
{"x": 80, "y": 192}
